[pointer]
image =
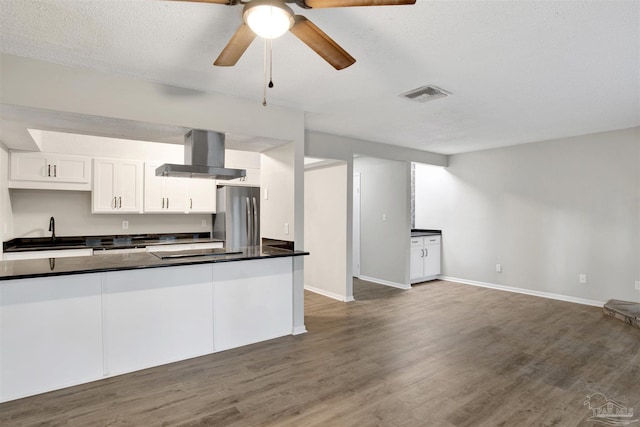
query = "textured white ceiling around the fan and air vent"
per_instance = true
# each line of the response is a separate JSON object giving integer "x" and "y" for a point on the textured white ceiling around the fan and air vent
{"x": 519, "y": 71}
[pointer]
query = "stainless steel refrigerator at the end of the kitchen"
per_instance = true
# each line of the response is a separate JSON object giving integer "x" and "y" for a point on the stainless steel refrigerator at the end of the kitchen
{"x": 237, "y": 218}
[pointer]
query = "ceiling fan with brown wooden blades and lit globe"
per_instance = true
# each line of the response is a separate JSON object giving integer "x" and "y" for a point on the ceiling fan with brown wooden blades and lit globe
{"x": 272, "y": 18}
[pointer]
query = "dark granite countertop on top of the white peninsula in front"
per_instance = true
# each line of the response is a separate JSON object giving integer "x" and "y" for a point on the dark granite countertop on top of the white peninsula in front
{"x": 22, "y": 269}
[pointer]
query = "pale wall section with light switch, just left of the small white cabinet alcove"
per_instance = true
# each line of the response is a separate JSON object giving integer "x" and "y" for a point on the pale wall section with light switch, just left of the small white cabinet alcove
{"x": 384, "y": 248}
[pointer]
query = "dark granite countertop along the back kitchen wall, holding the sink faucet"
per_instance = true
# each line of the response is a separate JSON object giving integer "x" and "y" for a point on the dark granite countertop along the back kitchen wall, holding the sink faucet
{"x": 125, "y": 241}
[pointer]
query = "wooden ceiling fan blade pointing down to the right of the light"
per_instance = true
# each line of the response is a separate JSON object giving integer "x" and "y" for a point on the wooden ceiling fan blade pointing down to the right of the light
{"x": 321, "y": 43}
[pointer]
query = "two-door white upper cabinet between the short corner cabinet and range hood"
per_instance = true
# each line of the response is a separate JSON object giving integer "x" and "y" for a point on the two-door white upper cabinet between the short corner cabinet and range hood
{"x": 117, "y": 186}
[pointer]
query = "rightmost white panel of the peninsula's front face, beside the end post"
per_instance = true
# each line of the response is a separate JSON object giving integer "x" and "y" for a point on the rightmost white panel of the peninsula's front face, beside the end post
{"x": 247, "y": 310}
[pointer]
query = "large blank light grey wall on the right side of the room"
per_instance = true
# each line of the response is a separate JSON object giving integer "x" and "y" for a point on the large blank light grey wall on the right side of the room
{"x": 546, "y": 211}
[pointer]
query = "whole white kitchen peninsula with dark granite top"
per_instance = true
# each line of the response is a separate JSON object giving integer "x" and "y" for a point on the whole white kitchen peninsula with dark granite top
{"x": 68, "y": 321}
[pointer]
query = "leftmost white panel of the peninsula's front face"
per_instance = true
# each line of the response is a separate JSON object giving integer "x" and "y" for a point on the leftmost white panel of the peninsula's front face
{"x": 51, "y": 335}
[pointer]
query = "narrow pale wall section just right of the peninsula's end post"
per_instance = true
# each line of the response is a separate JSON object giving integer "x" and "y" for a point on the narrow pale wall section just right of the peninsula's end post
{"x": 325, "y": 230}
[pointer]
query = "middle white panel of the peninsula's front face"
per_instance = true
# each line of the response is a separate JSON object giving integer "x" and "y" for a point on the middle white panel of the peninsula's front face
{"x": 157, "y": 316}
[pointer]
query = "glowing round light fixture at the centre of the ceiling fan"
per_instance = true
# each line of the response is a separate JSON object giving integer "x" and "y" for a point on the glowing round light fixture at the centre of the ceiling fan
{"x": 268, "y": 18}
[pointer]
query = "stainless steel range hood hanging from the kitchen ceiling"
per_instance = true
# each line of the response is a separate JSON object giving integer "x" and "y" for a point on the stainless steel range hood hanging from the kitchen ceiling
{"x": 203, "y": 158}
